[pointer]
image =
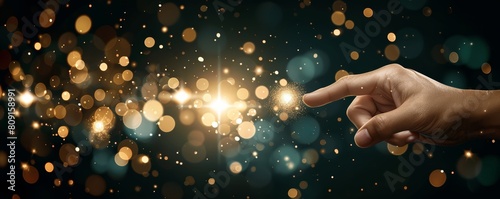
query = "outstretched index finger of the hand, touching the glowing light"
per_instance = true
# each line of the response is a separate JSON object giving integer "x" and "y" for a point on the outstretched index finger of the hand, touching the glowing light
{"x": 361, "y": 84}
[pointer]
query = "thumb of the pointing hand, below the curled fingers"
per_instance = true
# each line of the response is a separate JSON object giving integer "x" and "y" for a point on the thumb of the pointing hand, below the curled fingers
{"x": 382, "y": 126}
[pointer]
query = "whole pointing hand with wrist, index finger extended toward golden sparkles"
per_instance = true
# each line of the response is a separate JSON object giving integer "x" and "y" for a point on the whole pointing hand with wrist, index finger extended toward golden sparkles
{"x": 400, "y": 106}
